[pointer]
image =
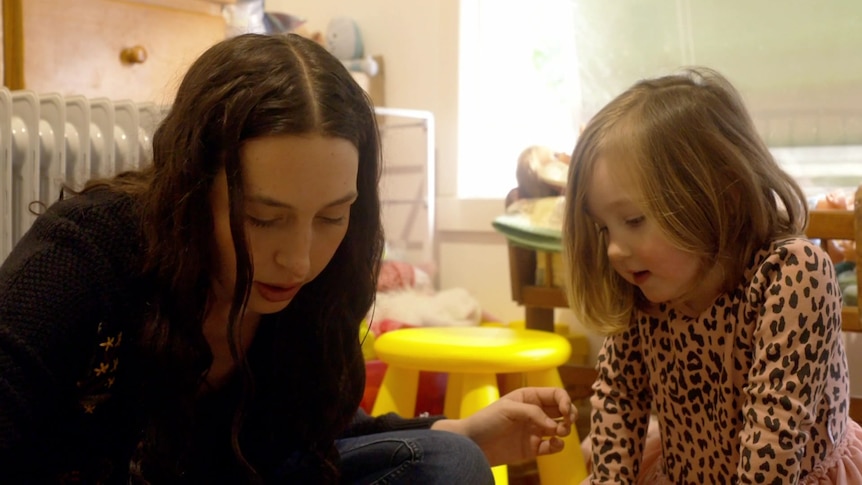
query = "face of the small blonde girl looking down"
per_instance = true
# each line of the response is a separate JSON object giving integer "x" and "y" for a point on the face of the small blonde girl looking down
{"x": 639, "y": 251}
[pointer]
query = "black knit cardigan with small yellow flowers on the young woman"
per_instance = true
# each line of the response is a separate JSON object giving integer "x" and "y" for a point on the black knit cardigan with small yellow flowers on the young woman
{"x": 71, "y": 301}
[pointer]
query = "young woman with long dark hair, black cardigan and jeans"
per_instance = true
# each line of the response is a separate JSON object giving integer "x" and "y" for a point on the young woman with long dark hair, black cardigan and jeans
{"x": 198, "y": 321}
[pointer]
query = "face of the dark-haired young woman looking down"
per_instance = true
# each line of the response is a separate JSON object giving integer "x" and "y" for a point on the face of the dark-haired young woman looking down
{"x": 298, "y": 194}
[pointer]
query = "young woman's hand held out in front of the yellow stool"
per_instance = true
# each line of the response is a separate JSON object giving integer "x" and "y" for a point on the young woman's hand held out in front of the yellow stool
{"x": 523, "y": 424}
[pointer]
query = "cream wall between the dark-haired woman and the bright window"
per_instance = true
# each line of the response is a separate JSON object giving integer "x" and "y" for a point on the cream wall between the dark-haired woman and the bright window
{"x": 419, "y": 44}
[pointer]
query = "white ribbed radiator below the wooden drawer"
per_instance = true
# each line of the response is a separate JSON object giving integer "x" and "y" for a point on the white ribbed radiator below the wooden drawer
{"x": 49, "y": 140}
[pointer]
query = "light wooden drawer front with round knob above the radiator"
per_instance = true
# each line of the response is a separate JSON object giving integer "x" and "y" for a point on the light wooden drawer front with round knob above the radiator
{"x": 112, "y": 48}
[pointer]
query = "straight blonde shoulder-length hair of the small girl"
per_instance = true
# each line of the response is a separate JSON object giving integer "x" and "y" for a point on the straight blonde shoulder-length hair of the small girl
{"x": 691, "y": 151}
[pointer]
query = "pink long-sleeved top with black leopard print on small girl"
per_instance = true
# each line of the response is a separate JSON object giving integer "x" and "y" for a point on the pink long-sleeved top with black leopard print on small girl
{"x": 754, "y": 390}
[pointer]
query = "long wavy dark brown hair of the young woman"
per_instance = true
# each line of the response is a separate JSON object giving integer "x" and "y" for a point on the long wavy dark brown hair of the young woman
{"x": 304, "y": 383}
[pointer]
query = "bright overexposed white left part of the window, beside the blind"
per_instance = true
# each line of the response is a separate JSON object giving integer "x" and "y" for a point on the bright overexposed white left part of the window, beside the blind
{"x": 519, "y": 86}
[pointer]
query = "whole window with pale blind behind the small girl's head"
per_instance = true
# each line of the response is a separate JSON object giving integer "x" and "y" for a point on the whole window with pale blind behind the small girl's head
{"x": 534, "y": 75}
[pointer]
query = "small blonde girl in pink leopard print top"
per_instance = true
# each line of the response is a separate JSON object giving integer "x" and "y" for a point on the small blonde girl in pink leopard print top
{"x": 684, "y": 243}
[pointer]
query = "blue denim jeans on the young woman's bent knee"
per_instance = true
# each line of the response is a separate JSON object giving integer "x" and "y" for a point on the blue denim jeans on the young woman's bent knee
{"x": 413, "y": 457}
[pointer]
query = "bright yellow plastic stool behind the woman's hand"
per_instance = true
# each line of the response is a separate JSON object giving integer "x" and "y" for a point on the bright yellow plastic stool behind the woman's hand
{"x": 473, "y": 356}
